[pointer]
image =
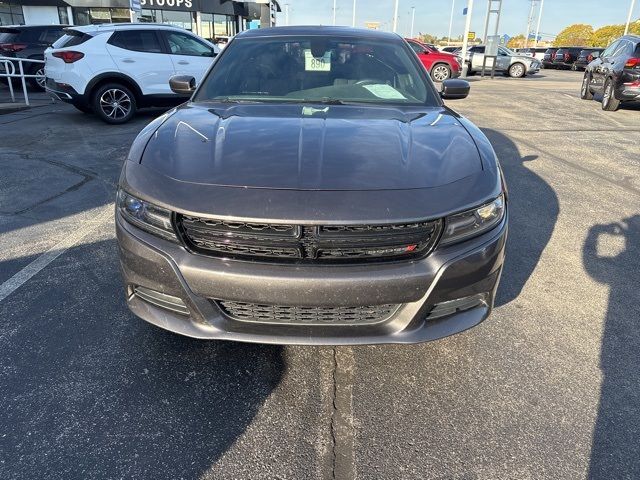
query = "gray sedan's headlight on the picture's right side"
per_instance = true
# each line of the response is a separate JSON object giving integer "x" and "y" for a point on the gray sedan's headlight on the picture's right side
{"x": 462, "y": 226}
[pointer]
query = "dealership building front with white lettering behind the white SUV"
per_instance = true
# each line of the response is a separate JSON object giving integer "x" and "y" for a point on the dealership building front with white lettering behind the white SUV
{"x": 208, "y": 18}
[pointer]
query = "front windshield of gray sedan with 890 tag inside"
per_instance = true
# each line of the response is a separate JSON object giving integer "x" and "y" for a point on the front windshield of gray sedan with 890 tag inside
{"x": 316, "y": 69}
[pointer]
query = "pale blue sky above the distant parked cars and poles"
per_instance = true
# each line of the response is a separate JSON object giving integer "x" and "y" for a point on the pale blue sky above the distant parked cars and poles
{"x": 432, "y": 16}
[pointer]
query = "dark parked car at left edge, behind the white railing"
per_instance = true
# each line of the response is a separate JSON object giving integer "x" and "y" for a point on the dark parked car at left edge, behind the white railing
{"x": 29, "y": 41}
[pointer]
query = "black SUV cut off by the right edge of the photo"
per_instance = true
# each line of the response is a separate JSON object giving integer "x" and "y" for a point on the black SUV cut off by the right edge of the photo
{"x": 615, "y": 74}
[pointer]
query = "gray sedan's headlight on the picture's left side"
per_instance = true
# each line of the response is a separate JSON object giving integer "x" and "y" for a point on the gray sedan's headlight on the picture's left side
{"x": 146, "y": 216}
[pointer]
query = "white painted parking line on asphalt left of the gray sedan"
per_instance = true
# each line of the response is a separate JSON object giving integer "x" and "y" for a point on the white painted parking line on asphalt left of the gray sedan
{"x": 24, "y": 275}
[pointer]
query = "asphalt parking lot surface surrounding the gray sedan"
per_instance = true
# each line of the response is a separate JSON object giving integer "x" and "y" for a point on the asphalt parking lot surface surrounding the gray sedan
{"x": 548, "y": 387}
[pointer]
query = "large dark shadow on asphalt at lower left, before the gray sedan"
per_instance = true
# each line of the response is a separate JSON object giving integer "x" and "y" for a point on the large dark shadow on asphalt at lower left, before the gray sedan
{"x": 90, "y": 391}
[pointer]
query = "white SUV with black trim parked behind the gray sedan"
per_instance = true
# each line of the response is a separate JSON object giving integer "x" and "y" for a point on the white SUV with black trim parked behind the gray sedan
{"x": 114, "y": 69}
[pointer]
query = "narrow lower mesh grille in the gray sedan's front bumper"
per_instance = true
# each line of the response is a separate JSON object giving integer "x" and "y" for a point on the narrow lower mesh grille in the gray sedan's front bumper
{"x": 252, "y": 312}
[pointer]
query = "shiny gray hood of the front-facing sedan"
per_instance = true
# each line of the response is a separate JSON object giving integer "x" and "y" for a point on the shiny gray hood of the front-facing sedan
{"x": 314, "y": 147}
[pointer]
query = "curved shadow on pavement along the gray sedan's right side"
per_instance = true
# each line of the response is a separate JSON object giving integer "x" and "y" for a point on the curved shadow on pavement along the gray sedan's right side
{"x": 533, "y": 212}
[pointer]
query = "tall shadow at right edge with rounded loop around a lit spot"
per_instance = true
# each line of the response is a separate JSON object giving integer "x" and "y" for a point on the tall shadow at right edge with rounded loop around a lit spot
{"x": 615, "y": 451}
